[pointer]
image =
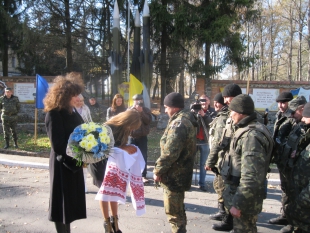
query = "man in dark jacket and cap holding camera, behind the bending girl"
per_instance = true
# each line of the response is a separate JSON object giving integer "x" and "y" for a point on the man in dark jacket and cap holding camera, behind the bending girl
{"x": 139, "y": 137}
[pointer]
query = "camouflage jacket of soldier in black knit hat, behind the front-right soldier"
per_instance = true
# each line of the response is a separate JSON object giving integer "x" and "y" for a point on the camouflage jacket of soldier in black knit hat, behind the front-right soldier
{"x": 217, "y": 127}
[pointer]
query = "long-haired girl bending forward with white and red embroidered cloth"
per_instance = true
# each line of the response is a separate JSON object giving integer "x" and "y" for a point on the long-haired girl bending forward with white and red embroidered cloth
{"x": 121, "y": 125}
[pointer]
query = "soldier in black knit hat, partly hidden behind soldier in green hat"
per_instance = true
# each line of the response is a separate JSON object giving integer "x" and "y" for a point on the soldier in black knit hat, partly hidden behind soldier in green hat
{"x": 222, "y": 133}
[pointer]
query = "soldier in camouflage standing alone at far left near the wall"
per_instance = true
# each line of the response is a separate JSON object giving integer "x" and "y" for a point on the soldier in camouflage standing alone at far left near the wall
{"x": 9, "y": 106}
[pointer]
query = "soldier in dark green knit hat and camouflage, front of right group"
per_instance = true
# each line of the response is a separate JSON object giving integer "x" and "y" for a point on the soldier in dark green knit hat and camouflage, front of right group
{"x": 245, "y": 165}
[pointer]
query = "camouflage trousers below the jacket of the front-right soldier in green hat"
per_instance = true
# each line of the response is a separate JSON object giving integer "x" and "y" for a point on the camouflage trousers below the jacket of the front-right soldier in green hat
{"x": 245, "y": 224}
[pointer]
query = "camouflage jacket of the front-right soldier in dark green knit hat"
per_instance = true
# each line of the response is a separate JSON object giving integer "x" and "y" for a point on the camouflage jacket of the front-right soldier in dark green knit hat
{"x": 249, "y": 162}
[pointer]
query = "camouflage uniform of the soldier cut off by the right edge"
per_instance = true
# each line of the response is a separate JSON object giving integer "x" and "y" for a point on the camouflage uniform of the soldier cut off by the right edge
{"x": 299, "y": 186}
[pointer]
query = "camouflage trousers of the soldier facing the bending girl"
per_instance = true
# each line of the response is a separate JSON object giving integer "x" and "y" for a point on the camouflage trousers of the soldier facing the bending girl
{"x": 175, "y": 211}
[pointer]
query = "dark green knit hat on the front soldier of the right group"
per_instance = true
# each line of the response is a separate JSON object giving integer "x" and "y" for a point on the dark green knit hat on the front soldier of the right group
{"x": 242, "y": 104}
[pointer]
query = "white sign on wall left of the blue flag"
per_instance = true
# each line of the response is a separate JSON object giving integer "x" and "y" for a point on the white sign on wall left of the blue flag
{"x": 25, "y": 92}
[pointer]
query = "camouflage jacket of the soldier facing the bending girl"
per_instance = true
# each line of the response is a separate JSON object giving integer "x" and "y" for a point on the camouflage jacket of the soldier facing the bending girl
{"x": 178, "y": 148}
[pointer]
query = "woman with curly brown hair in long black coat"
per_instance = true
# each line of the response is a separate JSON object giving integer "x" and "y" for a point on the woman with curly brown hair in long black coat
{"x": 67, "y": 195}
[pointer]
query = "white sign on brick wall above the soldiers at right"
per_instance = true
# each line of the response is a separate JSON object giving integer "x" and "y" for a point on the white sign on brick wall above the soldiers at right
{"x": 265, "y": 98}
